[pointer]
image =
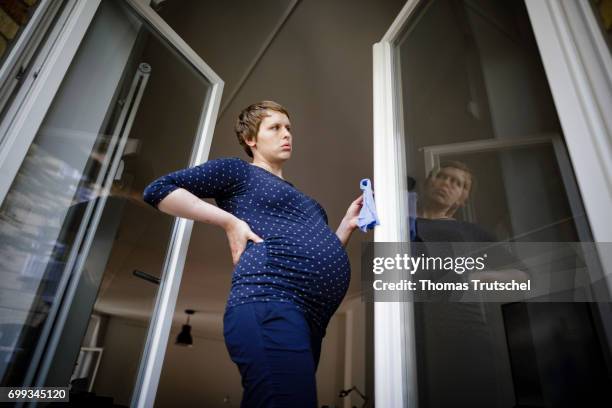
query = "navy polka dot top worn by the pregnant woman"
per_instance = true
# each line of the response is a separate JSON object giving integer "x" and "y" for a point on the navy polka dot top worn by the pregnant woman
{"x": 301, "y": 260}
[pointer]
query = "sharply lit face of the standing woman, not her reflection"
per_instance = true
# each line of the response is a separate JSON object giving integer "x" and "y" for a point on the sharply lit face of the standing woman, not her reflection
{"x": 274, "y": 140}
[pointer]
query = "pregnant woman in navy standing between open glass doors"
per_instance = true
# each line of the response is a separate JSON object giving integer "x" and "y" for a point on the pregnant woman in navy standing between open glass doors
{"x": 290, "y": 270}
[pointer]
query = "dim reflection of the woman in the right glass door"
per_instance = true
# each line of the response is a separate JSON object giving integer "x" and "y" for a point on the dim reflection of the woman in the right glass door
{"x": 459, "y": 337}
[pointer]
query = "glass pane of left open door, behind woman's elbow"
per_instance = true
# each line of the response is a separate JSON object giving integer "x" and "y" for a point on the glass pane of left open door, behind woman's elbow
{"x": 127, "y": 111}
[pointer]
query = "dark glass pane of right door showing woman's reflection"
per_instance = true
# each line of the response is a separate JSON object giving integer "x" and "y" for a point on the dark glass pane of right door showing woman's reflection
{"x": 487, "y": 161}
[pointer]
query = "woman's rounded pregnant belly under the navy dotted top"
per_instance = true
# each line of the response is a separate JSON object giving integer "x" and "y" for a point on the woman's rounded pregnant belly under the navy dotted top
{"x": 306, "y": 265}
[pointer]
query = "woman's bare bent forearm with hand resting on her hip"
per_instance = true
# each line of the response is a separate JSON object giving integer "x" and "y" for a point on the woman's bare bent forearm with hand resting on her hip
{"x": 182, "y": 203}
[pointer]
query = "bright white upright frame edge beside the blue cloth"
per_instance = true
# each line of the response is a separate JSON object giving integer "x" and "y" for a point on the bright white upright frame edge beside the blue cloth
{"x": 395, "y": 381}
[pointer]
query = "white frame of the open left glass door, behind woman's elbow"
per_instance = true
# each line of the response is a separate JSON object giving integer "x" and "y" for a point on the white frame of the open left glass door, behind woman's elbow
{"x": 37, "y": 99}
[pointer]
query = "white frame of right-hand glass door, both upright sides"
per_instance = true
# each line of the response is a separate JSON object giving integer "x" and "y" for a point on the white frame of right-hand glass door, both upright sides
{"x": 578, "y": 66}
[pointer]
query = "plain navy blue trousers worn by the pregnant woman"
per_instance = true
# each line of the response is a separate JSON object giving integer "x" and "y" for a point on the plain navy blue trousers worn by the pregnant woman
{"x": 277, "y": 353}
